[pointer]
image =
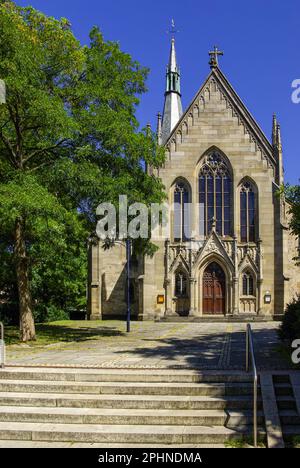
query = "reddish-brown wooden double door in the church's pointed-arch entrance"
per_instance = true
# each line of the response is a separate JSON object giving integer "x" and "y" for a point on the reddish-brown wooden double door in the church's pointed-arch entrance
{"x": 214, "y": 287}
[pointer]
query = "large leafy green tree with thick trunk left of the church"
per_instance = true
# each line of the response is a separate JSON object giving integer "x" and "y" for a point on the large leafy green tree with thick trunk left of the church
{"x": 69, "y": 140}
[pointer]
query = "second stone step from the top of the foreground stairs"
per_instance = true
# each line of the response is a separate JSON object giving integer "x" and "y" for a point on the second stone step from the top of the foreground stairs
{"x": 129, "y": 388}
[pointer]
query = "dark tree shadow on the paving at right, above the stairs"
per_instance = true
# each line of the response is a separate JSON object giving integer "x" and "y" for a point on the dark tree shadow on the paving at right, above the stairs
{"x": 213, "y": 351}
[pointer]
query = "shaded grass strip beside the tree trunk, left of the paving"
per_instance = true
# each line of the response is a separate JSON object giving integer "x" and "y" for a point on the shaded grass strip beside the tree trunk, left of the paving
{"x": 67, "y": 331}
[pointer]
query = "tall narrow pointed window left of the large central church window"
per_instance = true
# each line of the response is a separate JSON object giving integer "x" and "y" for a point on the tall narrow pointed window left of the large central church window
{"x": 182, "y": 198}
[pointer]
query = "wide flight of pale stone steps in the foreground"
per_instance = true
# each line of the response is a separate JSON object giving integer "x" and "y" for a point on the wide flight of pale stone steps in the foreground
{"x": 128, "y": 408}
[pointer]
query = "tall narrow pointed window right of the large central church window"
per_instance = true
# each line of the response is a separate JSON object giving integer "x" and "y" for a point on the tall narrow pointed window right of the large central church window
{"x": 247, "y": 212}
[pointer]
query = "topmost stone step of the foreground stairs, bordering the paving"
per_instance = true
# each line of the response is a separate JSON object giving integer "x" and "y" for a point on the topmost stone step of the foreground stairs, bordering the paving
{"x": 121, "y": 375}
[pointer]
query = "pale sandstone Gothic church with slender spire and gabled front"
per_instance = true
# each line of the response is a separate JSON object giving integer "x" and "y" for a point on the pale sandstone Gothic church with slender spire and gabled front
{"x": 230, "y": 257}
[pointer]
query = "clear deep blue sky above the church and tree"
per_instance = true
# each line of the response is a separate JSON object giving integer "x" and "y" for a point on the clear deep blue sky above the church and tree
{"x": 260, "y": 40}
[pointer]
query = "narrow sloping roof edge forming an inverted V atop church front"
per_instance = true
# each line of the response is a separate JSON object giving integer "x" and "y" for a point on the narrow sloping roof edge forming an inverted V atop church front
{"x": 238, "y": 106}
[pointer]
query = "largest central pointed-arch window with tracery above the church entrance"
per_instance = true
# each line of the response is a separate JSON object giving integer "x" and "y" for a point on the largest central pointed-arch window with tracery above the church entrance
{"x": 215, "y": 193}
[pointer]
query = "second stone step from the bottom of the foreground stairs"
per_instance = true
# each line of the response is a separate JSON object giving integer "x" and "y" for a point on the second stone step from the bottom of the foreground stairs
{"x": 123, "y": 416}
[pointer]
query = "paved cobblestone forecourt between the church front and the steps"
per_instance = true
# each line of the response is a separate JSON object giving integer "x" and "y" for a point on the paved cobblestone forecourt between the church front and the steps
{"x": 160, "y": 345}
